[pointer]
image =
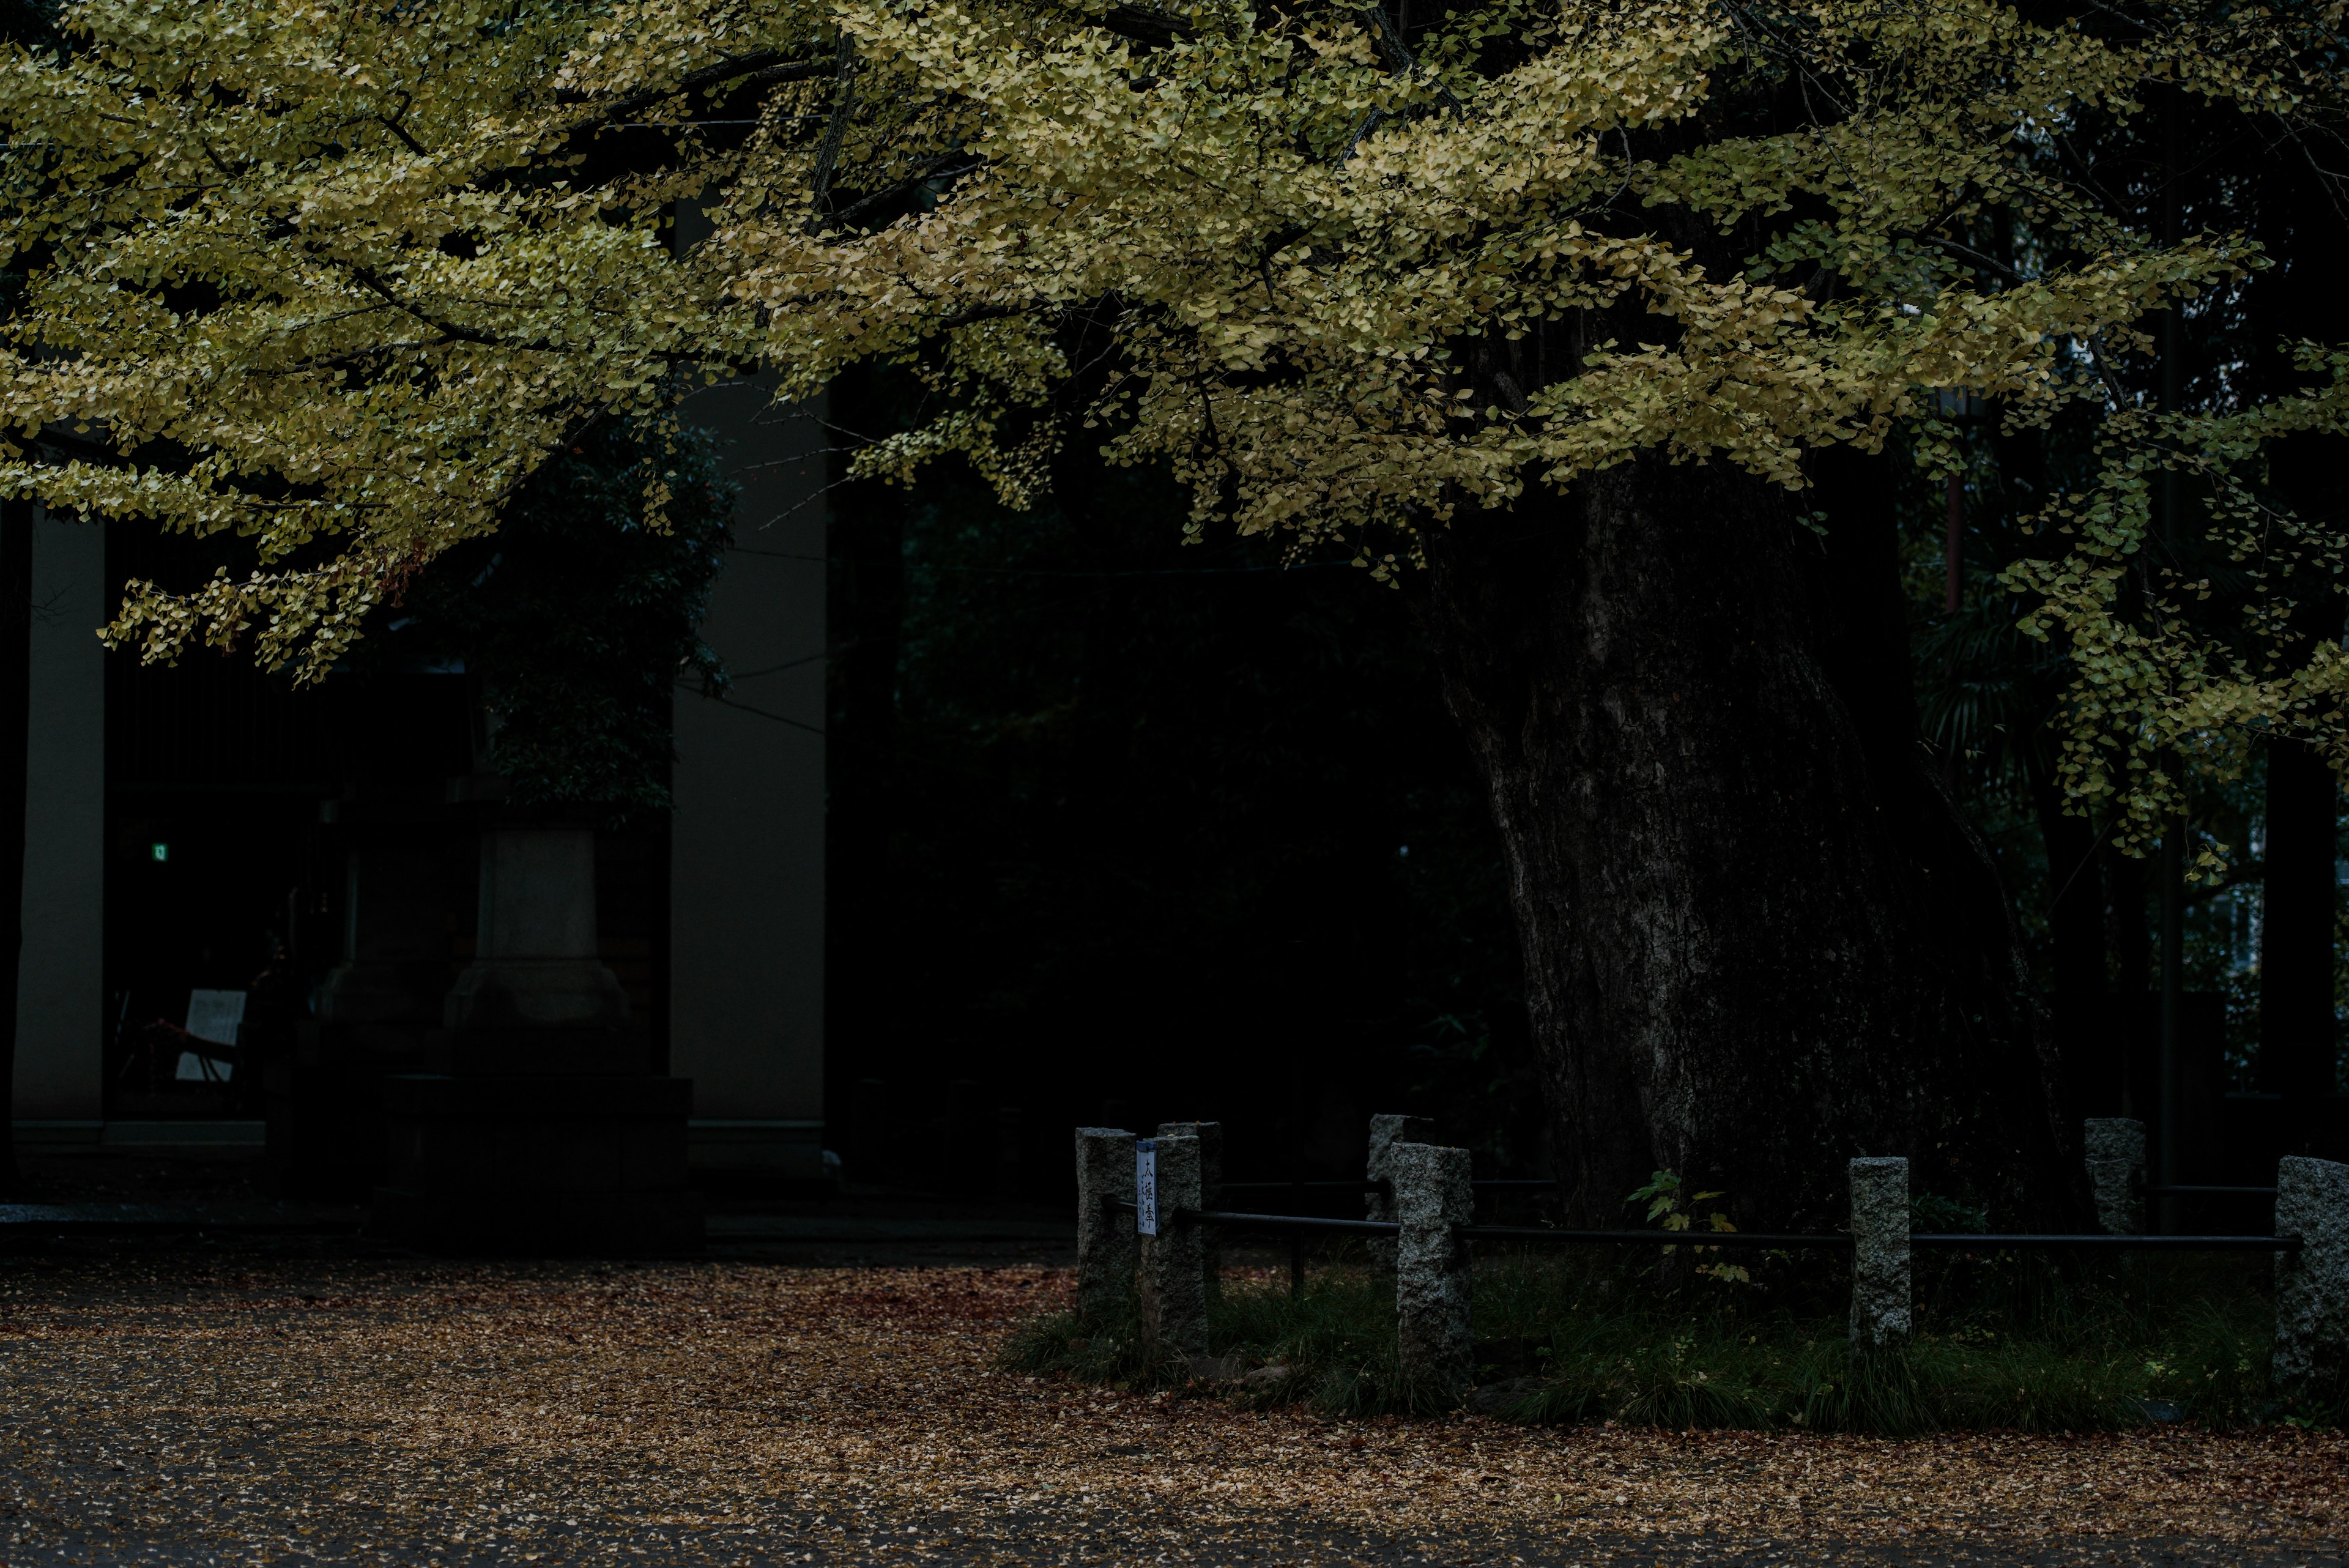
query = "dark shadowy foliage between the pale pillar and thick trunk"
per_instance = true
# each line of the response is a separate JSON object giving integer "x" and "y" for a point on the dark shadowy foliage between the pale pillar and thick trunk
{"x": 1136, "y": 831}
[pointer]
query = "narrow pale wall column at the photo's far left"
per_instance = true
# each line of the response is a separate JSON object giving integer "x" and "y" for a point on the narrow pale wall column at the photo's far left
{"x": 62, "y": 981}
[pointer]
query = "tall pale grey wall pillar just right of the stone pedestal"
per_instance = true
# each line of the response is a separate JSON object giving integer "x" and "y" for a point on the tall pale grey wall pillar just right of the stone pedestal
{"x": 748, "y": 833}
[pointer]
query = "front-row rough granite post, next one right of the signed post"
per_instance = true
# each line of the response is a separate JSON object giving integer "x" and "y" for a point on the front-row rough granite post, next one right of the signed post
{"x": 1432, "y": 1271}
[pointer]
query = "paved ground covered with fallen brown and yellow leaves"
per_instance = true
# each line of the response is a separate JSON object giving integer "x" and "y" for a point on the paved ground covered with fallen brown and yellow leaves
{"x": 177, "y": 1409}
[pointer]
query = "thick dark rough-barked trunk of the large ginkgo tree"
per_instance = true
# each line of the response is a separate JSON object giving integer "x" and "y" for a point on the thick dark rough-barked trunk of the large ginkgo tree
{"x": 1758, "y": 937}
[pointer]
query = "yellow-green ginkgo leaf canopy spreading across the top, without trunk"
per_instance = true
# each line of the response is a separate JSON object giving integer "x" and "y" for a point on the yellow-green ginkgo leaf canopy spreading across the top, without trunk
{"x": 344, "y": 279}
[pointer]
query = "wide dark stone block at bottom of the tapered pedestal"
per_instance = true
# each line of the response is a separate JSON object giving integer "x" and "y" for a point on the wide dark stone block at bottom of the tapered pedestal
{"x": 539, "y": 1165}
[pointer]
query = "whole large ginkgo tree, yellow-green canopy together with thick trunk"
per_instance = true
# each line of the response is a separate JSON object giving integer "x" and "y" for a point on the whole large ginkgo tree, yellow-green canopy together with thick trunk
{"x": 1587, "y": 326}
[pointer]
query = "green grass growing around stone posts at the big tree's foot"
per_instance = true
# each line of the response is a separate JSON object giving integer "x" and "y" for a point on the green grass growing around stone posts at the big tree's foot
{"x": 2003, "y": 1341}
